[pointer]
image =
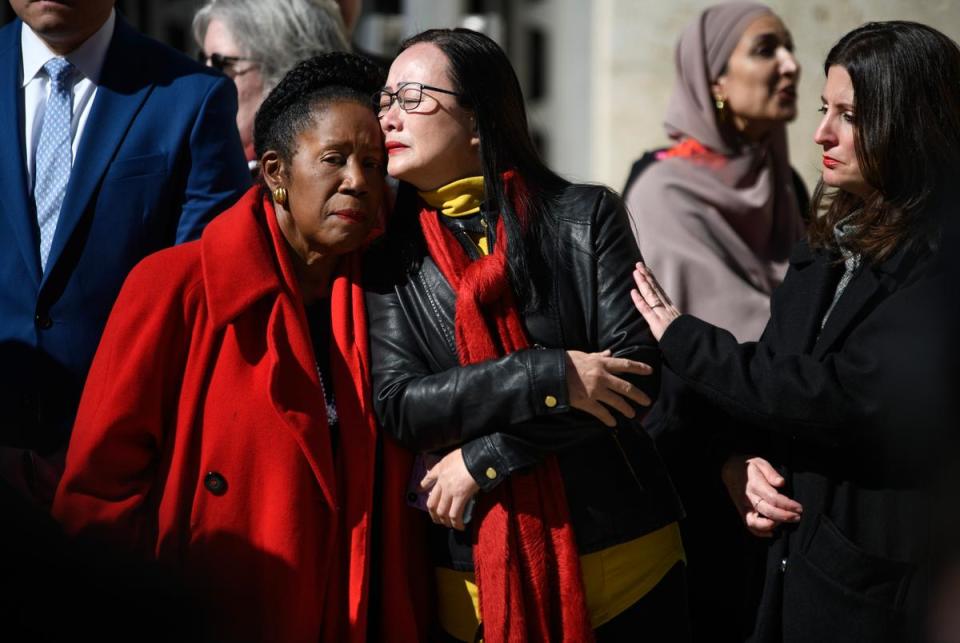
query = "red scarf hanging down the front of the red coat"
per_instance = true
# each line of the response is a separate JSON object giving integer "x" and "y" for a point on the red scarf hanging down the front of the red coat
{"x": 402, "y": 601}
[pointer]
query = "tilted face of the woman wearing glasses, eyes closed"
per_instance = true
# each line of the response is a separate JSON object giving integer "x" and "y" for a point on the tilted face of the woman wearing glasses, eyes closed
{"x": 434, "y": 143}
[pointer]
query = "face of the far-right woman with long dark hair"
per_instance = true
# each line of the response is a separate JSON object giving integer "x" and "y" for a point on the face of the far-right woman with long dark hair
{"x": 835, "y": 134}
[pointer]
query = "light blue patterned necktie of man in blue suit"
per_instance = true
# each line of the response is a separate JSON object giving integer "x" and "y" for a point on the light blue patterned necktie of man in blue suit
{"x": 54, "y": 153}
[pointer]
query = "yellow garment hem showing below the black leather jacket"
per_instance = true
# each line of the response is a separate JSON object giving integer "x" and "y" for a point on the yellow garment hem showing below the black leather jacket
{"x": 614, "y": 579}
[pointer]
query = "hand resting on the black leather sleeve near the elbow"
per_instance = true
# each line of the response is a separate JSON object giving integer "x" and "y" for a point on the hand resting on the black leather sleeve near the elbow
{"x": 591, "y": 380}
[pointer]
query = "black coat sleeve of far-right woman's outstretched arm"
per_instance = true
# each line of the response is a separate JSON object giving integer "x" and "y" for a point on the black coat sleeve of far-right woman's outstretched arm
{"x": 874, "y": 394}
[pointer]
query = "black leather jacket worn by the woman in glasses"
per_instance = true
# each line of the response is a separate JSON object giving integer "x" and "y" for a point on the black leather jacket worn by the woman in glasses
{"x": 507, "y": 413}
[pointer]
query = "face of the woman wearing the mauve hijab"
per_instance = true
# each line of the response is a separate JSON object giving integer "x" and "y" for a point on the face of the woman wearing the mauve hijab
{"x": 759, "y": 85}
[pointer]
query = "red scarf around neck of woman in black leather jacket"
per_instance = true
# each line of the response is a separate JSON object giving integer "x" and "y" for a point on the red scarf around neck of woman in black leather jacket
{"x": 527, "y": 566}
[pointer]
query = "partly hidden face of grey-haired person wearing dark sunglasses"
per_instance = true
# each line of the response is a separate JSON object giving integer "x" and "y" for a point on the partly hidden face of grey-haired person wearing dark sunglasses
{"x": 245, "y": 74}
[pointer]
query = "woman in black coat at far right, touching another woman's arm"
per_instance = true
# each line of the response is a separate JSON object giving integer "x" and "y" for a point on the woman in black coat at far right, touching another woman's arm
{"x": 844, "y": 391}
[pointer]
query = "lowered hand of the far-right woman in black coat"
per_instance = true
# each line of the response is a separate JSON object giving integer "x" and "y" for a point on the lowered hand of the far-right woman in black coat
{"x": 752, "y": 483}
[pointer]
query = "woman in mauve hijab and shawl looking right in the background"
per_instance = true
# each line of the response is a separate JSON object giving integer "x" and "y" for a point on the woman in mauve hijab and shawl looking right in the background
{"x": 715, "y": 216}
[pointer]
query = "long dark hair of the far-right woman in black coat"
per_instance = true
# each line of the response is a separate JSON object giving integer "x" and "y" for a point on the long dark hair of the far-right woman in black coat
{"x": 906, "y": 84}
